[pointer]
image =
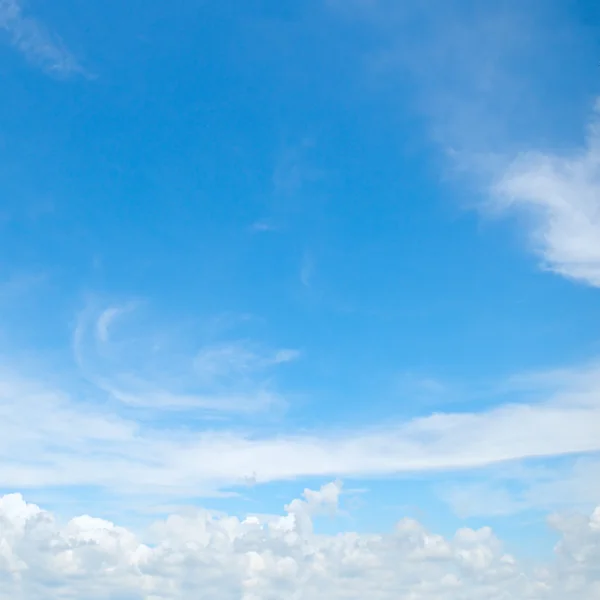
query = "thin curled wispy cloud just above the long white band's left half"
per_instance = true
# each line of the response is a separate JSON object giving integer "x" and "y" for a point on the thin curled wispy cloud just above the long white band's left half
{"x": 146, "y": 368}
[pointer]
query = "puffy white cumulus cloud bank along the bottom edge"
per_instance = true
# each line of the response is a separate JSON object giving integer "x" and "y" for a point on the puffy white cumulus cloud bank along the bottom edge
{"x": 264, "y": 558}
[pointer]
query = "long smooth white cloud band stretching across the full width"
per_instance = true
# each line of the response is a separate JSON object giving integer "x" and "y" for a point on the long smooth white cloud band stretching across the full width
{"x": 53, "y": 438}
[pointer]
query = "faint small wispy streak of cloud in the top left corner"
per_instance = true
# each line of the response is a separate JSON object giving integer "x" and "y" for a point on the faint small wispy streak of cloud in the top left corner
{"x": 35, "y": 41}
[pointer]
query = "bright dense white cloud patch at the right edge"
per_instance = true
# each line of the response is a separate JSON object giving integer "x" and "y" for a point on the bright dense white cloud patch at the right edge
{"x": 561, "y": 194}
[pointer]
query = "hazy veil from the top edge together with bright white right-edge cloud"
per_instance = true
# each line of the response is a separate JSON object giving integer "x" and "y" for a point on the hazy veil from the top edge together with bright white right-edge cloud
{"x": 483, "y": 75}
